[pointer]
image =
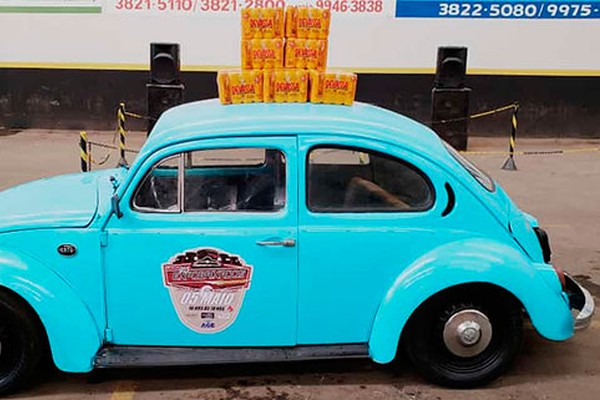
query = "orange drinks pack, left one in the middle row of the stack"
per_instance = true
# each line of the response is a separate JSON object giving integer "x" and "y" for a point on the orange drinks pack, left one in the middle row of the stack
{"x": 262, "y": 53}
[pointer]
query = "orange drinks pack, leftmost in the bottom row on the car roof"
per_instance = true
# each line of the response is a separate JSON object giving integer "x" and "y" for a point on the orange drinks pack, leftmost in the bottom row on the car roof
{"x": 237, "y": 86}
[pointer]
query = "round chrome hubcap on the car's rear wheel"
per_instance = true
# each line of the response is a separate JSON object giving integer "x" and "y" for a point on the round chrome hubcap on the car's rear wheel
{"x": 467, "y": 333}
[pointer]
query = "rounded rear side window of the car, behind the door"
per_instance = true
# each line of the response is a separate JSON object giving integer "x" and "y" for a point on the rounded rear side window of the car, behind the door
{"x": 358, "y": 180}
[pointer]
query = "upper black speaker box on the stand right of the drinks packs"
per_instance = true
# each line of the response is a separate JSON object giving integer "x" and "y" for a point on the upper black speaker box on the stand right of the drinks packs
{"x": 451, "y": 67}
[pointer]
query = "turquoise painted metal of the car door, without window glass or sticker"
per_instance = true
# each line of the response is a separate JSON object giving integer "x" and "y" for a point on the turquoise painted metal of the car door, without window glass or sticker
{"x": 268, "y": 311}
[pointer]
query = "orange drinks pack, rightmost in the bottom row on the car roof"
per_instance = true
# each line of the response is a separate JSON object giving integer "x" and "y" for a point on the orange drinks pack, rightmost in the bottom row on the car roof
{"x": 332, "y": 87}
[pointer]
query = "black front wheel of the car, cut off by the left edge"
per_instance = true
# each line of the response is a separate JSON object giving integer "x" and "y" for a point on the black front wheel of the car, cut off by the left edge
{"x": 21, "y": 344}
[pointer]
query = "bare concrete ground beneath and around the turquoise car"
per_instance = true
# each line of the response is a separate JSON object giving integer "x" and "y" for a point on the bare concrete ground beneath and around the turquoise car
{"x": 563, "y": 191}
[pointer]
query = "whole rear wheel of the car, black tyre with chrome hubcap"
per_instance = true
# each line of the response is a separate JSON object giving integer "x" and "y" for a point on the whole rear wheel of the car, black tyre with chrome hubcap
{"x": 465, "y": 338}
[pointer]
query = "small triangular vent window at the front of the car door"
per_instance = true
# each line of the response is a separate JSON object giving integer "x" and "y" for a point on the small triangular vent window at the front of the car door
{"x": 159, "y": 189}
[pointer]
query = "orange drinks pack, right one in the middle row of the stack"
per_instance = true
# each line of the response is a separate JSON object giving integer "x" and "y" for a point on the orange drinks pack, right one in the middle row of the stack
{"x": 306, "y": 54}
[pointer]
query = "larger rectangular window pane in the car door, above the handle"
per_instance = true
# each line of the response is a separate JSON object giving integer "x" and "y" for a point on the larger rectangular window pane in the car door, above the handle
{"x": 242, "y": 179}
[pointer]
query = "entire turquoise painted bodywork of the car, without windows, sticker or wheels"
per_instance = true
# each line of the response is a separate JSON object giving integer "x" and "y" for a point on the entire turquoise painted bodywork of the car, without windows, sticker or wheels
{"x": 353, "y": 278}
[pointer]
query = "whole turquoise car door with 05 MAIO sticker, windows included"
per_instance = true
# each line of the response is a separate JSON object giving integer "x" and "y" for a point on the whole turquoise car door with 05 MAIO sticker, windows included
{"x": 204, "y": 254}
